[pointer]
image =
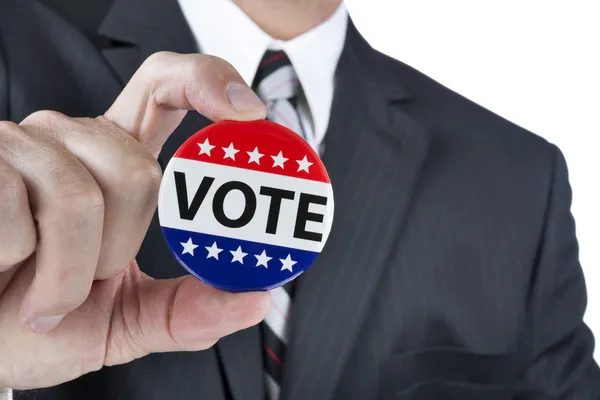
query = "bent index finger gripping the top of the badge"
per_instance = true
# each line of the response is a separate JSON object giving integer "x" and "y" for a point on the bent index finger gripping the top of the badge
{"x": 167, "y": 85}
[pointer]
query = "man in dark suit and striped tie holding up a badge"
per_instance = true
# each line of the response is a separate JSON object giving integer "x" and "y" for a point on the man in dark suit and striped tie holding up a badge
{"x": 451, "y": 271}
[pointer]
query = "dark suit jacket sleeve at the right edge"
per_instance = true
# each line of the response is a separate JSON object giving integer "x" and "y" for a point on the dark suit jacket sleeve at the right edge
{"x": 562, "y": 365}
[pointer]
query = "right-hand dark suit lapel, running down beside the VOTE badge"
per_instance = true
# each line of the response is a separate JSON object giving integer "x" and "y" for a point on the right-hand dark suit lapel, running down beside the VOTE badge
{"x": 373, "y": 152}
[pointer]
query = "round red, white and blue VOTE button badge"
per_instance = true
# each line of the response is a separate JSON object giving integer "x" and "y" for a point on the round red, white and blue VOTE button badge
{"x": 245, "y": 206}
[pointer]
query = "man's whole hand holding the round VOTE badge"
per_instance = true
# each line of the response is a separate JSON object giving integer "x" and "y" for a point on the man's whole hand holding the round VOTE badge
{"x": 76, "y": 199}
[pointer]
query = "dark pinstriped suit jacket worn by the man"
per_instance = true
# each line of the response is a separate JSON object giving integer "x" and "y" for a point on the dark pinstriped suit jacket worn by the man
{"x": 452, "y": 267}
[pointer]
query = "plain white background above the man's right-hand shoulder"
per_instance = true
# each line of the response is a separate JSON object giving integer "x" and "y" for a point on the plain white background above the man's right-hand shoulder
{"x": 534, "y": 62}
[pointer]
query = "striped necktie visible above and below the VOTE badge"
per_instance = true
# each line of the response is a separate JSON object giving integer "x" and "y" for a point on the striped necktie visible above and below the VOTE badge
{"x": 278, "y": 87}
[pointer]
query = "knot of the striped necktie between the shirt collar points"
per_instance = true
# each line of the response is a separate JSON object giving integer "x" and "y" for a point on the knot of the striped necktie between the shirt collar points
{"x": 275, "y": 78}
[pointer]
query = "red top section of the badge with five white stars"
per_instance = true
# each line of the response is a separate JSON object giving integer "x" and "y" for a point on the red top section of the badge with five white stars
{"x": 257, "y": 145}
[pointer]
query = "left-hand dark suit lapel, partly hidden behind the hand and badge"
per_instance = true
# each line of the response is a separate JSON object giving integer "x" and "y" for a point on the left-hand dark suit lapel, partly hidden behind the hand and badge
{"x": 137, "y": 29}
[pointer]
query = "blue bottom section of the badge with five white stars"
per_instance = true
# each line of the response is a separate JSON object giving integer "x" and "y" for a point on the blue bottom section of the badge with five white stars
{"x": 234, "y": 276}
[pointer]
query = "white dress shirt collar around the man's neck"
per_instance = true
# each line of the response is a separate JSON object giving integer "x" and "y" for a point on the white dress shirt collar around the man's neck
{"x": 222, "y": 29}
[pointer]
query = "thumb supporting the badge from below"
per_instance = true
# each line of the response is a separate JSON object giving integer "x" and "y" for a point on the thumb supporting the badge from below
{"x": 182, "y": 314}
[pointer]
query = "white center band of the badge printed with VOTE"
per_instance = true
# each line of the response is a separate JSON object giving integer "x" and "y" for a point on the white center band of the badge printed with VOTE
{"x": 234, "y": 203}
